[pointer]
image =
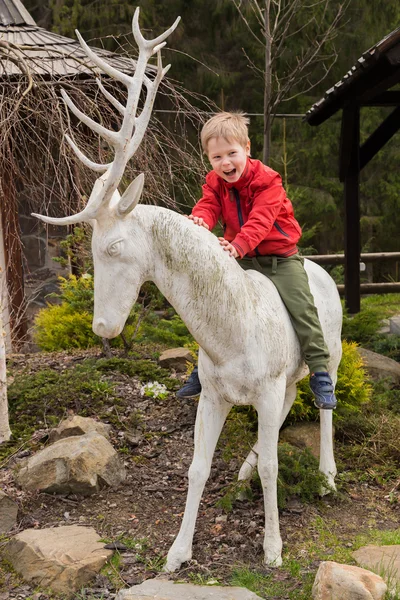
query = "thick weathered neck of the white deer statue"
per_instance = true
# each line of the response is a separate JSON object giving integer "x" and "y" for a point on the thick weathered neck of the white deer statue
{"x": 204, "y": 285}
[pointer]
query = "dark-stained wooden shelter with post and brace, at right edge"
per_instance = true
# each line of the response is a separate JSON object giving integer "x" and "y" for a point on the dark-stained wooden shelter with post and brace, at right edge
{"x": 368, "y": 83}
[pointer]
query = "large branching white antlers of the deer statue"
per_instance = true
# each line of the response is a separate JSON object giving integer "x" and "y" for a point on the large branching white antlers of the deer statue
{"x": 127, "y": 140}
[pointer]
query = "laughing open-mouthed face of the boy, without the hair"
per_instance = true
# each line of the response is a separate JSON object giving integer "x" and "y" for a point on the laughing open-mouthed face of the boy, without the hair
{"x": 227, "y": 158}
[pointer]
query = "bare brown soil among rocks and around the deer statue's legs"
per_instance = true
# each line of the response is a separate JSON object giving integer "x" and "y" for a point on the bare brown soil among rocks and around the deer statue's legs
{"x": 148, "y": 508}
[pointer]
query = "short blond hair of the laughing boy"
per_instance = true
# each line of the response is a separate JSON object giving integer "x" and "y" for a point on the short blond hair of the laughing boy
{"x": 231, "y": 126}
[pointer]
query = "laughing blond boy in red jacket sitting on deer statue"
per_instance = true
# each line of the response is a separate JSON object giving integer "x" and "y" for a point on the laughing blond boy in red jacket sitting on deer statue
{"x": 261, "y": 232}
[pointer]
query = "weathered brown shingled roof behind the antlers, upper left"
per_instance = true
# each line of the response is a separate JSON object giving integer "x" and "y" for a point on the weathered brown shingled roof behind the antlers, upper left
{"x": 46, "y": 53}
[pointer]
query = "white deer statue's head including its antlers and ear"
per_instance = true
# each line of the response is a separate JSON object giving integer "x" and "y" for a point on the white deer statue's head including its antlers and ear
{"x": 106, "y": 210}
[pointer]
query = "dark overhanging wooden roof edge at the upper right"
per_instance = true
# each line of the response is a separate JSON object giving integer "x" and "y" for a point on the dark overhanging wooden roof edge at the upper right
{"x": 375, "y": 72}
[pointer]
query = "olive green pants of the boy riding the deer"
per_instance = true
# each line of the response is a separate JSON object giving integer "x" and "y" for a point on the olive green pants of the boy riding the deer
{"x": 290, "y": 278}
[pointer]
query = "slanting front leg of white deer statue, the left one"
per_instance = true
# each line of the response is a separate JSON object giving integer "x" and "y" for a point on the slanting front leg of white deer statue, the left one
{"x": 211, "y": 415}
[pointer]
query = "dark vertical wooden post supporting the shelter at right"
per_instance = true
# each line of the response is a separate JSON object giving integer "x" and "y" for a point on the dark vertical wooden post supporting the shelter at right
{"x": 350, "y": 174}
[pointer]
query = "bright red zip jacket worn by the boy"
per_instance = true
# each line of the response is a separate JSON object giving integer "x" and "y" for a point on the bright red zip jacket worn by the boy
{"x": 257, "y": 215}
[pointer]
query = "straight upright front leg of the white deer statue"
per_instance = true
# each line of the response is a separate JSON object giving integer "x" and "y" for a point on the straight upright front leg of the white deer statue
{"x": 269, "y": 413}
